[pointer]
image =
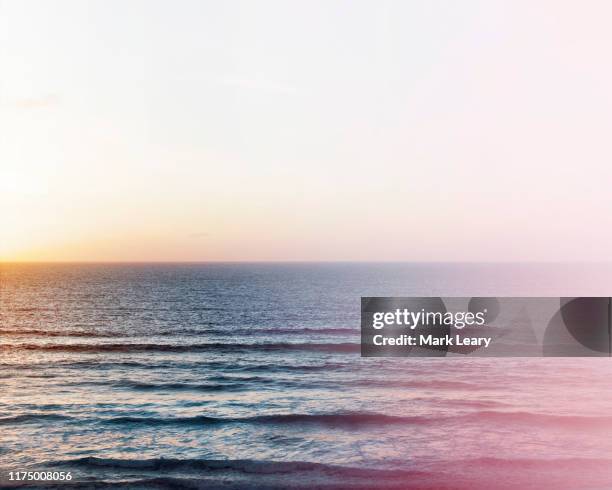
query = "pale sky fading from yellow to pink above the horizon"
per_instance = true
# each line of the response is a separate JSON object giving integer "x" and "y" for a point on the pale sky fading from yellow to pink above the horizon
{"x": 314, "y": 130}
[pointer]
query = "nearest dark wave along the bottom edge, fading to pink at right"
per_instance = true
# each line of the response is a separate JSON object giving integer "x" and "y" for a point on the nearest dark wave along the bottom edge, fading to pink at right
{"x": 478, "y": 474}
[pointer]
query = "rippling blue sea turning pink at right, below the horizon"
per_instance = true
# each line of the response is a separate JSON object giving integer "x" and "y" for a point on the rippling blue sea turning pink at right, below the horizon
{"x": 210, "y": 374}
